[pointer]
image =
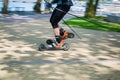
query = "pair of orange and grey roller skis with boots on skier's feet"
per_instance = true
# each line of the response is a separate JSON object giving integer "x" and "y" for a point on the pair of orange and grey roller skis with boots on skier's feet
{"x": 57, "y": 44}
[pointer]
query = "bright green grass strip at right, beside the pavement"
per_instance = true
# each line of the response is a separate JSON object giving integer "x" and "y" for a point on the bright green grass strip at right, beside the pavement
{"x": 96, "y": 23}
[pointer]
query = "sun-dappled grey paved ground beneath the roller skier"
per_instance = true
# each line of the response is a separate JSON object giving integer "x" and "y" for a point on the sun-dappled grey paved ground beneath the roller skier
{"x": 96, "y": 56}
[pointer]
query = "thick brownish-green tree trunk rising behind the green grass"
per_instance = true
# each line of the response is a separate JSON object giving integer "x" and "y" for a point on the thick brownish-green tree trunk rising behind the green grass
{"x": 91, "y": 8}
